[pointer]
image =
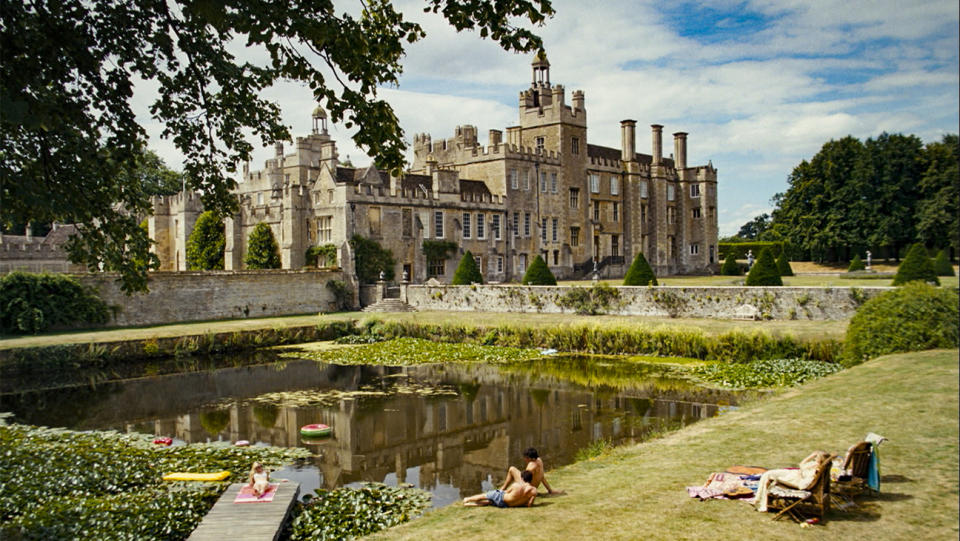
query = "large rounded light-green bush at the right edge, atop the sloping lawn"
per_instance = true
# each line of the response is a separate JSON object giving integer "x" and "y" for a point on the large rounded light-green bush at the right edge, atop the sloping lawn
{"x": 914, "y": 317}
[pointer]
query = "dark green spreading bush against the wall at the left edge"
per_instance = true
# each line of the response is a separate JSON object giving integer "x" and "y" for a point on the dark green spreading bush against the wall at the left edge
{"x": 31, "y": 303}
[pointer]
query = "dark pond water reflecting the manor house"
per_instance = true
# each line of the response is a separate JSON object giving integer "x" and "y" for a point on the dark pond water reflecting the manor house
{"x": 452, "y": 429}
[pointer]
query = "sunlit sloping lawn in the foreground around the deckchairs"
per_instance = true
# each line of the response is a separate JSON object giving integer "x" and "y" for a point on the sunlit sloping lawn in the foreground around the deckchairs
{"x": 637, "y": 492}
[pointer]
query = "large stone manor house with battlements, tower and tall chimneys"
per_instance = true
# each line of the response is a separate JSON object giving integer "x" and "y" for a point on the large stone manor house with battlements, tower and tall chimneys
{"x": 540, "y": 188}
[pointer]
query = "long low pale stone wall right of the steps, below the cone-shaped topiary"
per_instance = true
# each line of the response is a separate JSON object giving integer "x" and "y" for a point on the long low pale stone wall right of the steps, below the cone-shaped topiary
{"x": 808, "y": 303}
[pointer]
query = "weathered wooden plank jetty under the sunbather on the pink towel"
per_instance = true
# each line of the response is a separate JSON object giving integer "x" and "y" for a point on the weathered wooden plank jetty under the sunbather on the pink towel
{"x": 247, "y": 521}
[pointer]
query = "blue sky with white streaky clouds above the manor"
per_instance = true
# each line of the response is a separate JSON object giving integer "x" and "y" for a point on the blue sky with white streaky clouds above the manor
{"x": 759, "y": 85}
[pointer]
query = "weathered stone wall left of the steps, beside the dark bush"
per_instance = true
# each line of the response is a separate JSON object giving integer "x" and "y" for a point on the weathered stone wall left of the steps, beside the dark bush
{"x": 176, "y": 297}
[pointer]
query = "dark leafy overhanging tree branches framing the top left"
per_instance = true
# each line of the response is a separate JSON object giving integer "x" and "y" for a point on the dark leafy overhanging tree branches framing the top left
{"x": 69, "y": 138}
